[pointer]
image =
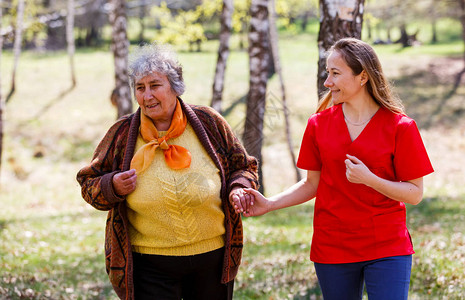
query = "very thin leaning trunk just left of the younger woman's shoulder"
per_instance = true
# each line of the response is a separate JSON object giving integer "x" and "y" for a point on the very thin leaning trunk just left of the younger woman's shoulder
{"x": 277, "y": 67}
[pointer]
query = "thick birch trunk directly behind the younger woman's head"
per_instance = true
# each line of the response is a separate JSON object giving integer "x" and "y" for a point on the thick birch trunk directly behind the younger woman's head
{"x": 338, "y": 19}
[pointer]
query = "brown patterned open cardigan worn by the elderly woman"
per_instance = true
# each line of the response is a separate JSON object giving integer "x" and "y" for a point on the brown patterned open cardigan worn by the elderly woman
{"x": 114, "y": 154}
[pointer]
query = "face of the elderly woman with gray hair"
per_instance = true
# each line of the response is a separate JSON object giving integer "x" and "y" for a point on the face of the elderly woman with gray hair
{"x": 156, "y": 99}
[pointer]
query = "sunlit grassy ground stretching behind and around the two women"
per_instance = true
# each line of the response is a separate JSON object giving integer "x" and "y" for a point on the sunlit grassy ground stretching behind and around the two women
{"x": 51, "y": 241}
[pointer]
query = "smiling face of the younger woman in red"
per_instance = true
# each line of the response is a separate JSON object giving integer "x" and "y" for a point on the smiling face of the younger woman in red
{"x": 344, "y": 85}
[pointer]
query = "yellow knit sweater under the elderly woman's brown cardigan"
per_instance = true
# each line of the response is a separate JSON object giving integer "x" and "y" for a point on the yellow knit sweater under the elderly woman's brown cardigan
{"x": 177, "y": 212}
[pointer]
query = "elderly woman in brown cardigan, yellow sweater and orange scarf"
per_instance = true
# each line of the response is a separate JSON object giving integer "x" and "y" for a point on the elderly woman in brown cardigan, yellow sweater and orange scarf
{"x": 168, "y": 174}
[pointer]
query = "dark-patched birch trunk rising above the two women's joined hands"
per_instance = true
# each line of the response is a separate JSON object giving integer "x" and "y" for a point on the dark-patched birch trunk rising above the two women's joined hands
{"x": 258, "y": 64}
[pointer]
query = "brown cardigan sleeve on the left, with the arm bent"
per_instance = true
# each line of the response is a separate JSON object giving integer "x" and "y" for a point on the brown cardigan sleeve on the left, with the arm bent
{"x": 96, "y": 179}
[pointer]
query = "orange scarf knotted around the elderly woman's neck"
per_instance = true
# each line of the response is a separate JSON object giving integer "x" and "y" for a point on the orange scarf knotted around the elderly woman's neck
{"x": 176, "y": 157}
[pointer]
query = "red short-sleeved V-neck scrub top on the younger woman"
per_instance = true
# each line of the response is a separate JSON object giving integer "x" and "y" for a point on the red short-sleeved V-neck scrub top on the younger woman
{"x": 353, "y": 222}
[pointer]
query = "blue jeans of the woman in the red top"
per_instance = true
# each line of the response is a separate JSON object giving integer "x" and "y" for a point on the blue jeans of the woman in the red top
{"x": 385, "y": 278}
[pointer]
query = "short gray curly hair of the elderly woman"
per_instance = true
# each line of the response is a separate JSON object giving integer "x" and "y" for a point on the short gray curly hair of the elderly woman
{"x": 161, "y": 58}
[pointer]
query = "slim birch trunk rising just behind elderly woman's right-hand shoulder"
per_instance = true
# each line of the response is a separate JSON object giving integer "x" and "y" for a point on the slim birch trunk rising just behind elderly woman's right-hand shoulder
{"x": 223, "y": 53}
